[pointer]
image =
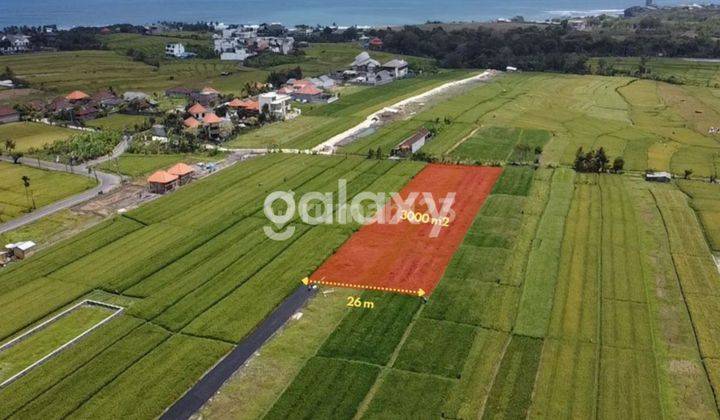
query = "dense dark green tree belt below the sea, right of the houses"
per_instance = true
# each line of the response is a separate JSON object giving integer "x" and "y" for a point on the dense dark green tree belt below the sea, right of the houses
{"x": 555, "y": 47}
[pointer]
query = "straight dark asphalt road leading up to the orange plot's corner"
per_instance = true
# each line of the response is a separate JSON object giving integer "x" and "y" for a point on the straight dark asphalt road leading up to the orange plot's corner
{"x": 203, "y": 390}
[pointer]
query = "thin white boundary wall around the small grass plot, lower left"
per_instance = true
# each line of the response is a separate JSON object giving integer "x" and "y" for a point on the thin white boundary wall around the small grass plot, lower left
{"x": 87, "y": 302}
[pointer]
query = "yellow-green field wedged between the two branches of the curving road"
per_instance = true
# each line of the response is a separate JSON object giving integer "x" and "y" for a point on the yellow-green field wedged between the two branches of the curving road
{"x": 45, "y": 187}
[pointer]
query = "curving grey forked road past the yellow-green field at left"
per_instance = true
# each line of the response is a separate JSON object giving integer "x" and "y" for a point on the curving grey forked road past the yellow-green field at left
{"x": 106, "y": 183}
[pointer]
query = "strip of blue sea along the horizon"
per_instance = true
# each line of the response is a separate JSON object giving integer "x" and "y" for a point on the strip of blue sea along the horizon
{"x": 68, "y": 13}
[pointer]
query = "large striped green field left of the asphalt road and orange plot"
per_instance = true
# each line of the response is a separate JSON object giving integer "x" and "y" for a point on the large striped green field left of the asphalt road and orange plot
{"x": 195, "y": 267}
